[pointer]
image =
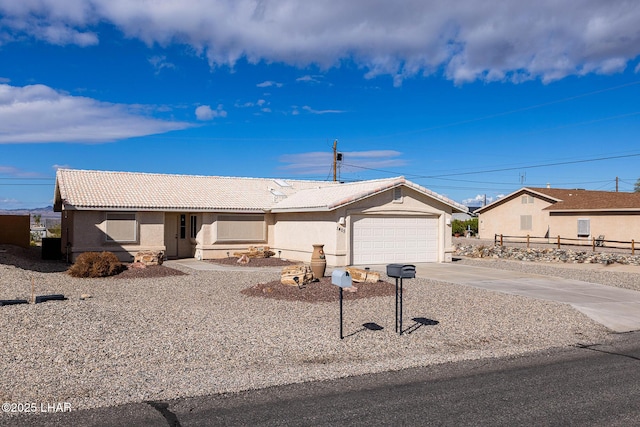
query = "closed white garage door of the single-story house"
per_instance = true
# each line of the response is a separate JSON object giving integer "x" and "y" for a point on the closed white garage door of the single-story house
{"x": 384, "y": 240}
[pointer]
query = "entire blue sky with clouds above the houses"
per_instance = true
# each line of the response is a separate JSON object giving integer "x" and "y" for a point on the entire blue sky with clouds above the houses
{"x": 469, "y": 99}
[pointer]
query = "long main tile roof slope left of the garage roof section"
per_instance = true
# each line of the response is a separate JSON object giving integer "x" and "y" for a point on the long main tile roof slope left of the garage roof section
{"x": 82, "y": 189}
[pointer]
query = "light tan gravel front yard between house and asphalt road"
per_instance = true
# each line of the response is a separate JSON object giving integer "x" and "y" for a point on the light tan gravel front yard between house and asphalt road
{"x": 159, "y": 338}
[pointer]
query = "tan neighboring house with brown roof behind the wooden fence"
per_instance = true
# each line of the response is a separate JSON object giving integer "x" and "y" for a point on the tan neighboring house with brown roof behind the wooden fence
{"x": 571, "y": 214}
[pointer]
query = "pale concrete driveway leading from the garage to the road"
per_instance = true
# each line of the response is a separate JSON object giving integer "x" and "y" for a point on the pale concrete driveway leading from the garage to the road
{"x": 616, "y": 308}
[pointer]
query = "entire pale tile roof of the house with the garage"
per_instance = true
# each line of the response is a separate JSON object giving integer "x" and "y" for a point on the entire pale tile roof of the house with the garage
{"x": 82, "y": 189}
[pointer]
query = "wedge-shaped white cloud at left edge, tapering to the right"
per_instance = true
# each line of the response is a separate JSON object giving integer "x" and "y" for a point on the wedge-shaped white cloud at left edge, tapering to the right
{"x": 39, "y": 114}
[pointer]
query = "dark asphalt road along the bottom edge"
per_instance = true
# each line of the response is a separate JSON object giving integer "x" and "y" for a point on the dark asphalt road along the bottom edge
{"x": 595, "y": 385}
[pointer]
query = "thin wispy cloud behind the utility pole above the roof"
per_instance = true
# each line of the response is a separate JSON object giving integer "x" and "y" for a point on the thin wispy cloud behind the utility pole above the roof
{"x": 314, "y": 163}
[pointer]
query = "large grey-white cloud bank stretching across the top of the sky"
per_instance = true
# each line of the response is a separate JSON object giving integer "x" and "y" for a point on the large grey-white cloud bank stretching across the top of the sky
{"x": 469, "y": 40}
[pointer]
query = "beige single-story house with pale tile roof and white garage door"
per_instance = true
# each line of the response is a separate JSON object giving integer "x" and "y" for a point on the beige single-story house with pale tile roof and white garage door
{"x": 368, "y": 222}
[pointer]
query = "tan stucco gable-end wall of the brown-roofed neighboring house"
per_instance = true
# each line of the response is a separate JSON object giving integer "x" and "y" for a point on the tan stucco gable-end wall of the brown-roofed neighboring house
{"x": 505, "y": 219}
